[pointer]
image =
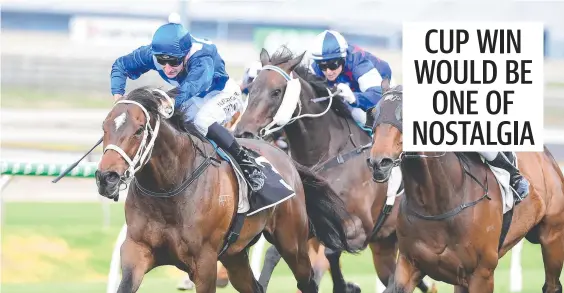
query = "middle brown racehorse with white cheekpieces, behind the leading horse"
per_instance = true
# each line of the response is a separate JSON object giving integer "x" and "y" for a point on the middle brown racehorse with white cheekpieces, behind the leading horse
{"x": 329, "y": 142}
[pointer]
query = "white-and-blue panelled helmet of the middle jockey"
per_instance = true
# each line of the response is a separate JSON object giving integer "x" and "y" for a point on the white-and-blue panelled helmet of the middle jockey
{"x": 328, "y": 45}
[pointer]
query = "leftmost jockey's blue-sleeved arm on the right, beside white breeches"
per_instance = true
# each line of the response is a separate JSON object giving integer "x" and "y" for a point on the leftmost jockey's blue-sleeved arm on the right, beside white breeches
{"x": 200, "y": 75}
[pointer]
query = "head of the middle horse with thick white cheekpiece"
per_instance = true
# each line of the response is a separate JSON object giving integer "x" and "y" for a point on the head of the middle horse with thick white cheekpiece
{"x": 273, "y": 95}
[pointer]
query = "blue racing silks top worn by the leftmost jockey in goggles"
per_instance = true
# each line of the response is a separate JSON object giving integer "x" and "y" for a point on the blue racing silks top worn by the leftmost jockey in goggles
{"x": 204, "y": 70}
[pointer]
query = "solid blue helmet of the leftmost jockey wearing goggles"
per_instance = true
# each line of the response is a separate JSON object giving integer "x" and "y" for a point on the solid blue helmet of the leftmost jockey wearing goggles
{"x": 171, "y": 39}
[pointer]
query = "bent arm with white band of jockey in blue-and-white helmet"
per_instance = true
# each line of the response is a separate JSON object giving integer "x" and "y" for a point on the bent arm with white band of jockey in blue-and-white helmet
{"x": 369, "y": 80}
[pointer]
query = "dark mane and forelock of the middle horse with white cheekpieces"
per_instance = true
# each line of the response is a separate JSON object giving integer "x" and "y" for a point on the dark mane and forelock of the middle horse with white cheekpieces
{"x": 318, "y": 84}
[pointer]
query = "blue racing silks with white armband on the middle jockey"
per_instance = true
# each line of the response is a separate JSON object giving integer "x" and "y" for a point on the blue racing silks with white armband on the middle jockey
{"x": 363, "y": 72}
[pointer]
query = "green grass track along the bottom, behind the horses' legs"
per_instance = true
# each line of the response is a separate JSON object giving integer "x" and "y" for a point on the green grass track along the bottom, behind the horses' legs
{"x": 64, "y": 247}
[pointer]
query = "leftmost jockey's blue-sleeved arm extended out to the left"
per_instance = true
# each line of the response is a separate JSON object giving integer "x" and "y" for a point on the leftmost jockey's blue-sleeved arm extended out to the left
{"x": 131, "y": 66}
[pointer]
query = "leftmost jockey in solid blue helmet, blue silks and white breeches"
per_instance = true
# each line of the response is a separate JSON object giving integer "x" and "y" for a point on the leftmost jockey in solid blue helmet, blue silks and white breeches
{"x": 208, "y": 96}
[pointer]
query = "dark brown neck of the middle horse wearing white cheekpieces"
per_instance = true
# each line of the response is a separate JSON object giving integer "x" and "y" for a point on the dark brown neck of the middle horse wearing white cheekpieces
{"x": 314, "y": 140}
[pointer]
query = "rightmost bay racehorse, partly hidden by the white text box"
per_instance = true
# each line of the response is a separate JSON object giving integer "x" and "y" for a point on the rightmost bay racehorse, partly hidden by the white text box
{"x": 446, "y": 227}
